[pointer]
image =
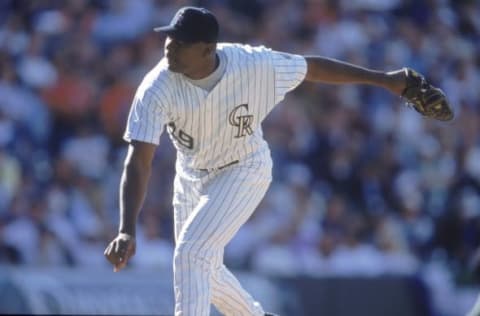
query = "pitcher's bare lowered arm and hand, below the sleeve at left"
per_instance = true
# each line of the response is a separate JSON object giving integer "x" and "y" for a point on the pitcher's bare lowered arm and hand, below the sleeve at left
{"x": 133, "y": 188}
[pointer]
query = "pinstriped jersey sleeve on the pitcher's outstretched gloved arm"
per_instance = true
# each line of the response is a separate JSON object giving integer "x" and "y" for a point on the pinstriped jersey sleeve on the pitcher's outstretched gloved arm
{"x": 290, "y": 70}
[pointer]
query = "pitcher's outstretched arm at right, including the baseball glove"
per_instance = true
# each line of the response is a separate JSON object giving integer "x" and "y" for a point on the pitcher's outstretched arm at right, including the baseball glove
{"x": 428, "y": 100}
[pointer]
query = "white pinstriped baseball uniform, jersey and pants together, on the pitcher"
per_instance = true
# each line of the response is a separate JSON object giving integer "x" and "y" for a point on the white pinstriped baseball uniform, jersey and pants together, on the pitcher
{"x": 209, "y": 130}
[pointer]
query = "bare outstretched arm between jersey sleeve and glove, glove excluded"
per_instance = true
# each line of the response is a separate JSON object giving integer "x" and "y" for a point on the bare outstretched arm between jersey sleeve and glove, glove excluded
{"x": 328, "y": 70}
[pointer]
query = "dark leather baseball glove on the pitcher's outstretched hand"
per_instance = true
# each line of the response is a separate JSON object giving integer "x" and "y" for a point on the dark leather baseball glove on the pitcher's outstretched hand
{"x": 425, "y": 98}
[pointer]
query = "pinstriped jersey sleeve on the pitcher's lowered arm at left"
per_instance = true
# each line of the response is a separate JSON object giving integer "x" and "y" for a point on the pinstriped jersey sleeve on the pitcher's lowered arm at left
{"x": 147, "y": 117}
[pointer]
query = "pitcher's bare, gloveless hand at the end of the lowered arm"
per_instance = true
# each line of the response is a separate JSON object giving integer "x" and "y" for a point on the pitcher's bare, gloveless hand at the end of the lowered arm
{"x": 120, "y": 250}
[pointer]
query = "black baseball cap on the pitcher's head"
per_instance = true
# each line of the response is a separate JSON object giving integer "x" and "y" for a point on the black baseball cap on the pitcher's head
{"x": 192, "y": 24}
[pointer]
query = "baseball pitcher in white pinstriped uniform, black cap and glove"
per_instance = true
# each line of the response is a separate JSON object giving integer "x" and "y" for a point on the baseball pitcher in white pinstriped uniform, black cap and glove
{"x": 212, "y": 98}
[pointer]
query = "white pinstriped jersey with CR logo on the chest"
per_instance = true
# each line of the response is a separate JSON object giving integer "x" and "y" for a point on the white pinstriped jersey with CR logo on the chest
{"x": 211, "y": 129}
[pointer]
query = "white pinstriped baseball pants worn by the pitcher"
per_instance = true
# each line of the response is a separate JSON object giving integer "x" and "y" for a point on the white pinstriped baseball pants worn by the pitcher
{"x": 209, "y": 208}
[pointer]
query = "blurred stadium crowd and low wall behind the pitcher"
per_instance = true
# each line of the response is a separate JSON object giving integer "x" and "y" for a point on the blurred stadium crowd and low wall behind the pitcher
{"x": 370, "y": 205}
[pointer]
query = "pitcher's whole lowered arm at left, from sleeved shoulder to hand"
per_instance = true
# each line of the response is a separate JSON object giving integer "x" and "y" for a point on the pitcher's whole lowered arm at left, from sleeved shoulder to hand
{"x": 145, "y": 124}
